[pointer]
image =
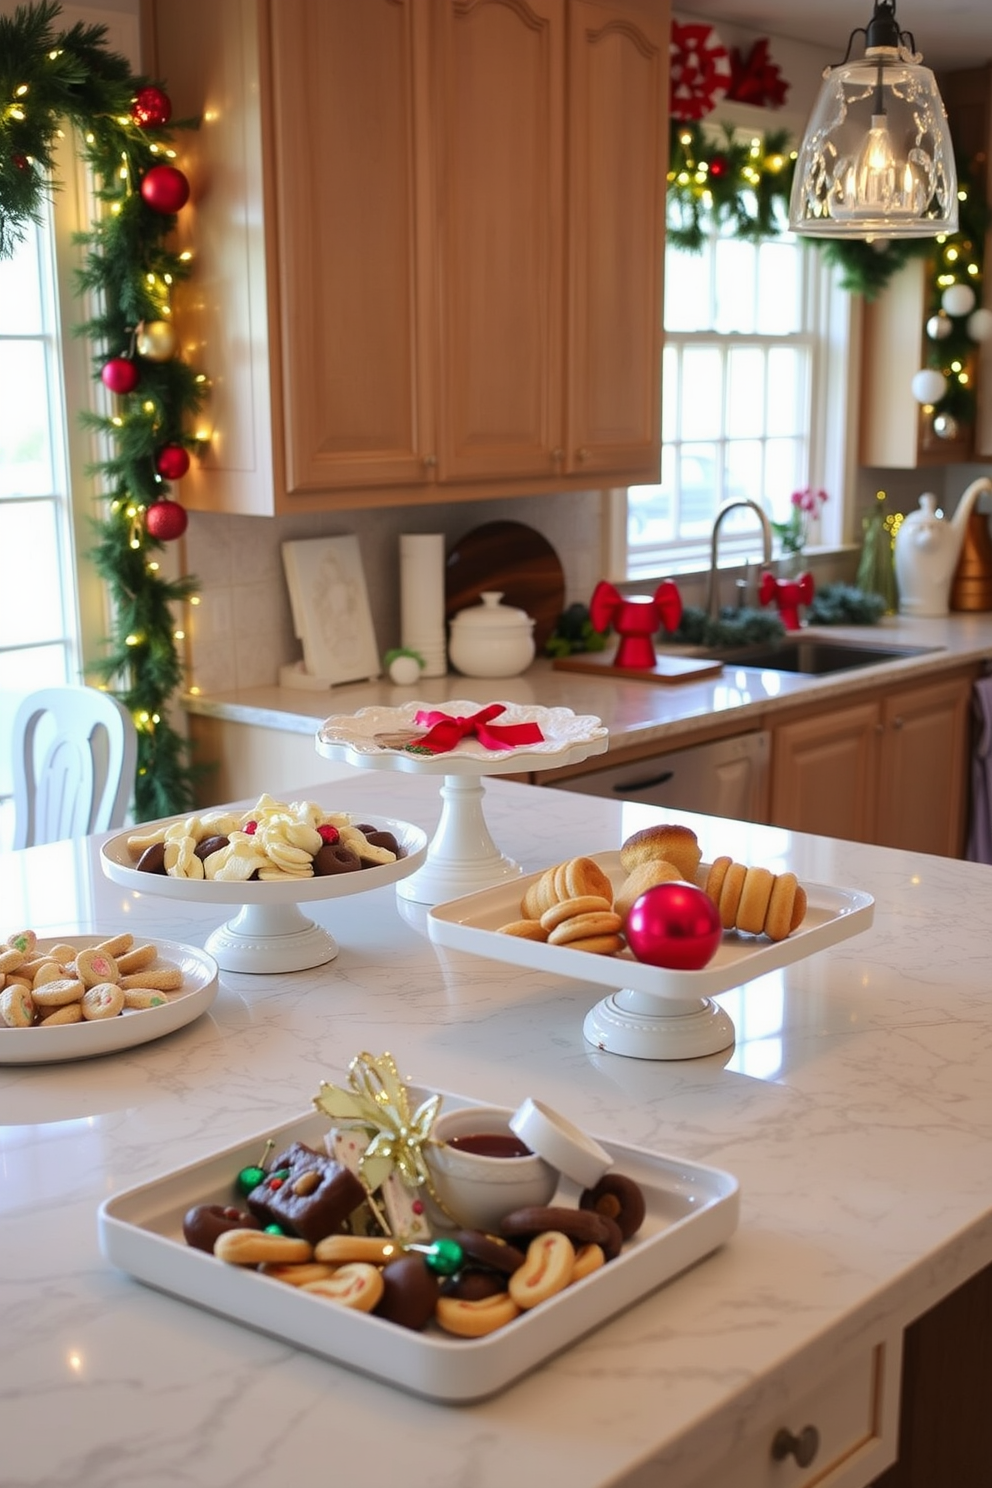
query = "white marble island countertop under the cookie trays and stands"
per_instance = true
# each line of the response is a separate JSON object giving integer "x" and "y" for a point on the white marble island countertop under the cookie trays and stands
{"x": 854, "y": 1111}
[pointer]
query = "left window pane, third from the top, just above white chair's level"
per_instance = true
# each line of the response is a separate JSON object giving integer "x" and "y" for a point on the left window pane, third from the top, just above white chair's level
{"x": 30, "y": 527}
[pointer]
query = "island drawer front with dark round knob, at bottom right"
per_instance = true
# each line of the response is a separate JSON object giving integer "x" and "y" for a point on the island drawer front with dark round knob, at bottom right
{"x": 854, "y": 1413}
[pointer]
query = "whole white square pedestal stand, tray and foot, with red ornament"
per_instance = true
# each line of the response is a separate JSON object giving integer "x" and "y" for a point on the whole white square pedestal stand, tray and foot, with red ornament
{"x": 655, "y": 1014}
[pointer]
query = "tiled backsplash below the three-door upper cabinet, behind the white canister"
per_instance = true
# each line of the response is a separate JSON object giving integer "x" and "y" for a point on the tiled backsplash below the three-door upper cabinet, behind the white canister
{"x": 242, "y": 630}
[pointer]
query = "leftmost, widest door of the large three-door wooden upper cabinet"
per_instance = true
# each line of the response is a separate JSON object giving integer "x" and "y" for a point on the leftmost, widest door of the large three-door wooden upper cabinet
{"x": 349, "y": 108}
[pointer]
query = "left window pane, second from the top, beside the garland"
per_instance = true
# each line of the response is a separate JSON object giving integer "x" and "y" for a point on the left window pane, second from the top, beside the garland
{"x": 26, "y": 465}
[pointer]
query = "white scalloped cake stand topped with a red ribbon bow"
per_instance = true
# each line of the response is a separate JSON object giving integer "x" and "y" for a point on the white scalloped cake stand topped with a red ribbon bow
{"x": 462, "y": 856}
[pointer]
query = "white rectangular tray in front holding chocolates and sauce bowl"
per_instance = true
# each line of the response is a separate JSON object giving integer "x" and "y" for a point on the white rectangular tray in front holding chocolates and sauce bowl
{"x": 691, "y": 1212}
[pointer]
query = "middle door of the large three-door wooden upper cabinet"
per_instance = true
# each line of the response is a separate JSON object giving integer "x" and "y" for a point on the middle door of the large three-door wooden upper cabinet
{"x": 500, "y": 129}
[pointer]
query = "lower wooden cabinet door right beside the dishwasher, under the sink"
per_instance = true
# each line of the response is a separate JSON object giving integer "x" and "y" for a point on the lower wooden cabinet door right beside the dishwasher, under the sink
{"x": 823, "y": 775}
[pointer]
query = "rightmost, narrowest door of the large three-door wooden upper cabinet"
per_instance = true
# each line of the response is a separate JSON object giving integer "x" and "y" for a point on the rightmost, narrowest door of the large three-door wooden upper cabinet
{"x": 618, "y": 142}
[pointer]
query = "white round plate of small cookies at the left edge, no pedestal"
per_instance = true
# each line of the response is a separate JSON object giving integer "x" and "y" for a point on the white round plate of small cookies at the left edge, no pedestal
{"x": 129, "y": 1029}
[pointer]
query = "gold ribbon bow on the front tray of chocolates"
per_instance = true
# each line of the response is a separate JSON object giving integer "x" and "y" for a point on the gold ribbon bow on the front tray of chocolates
{"x": 380, "y": 1105}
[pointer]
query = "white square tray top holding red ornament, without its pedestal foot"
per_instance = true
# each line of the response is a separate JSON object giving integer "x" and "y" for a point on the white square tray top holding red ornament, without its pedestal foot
{"x": 471, "y": 925}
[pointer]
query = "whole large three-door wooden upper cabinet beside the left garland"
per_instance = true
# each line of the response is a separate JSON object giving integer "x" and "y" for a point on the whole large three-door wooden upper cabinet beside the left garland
{"x": 429, "y": 240}
